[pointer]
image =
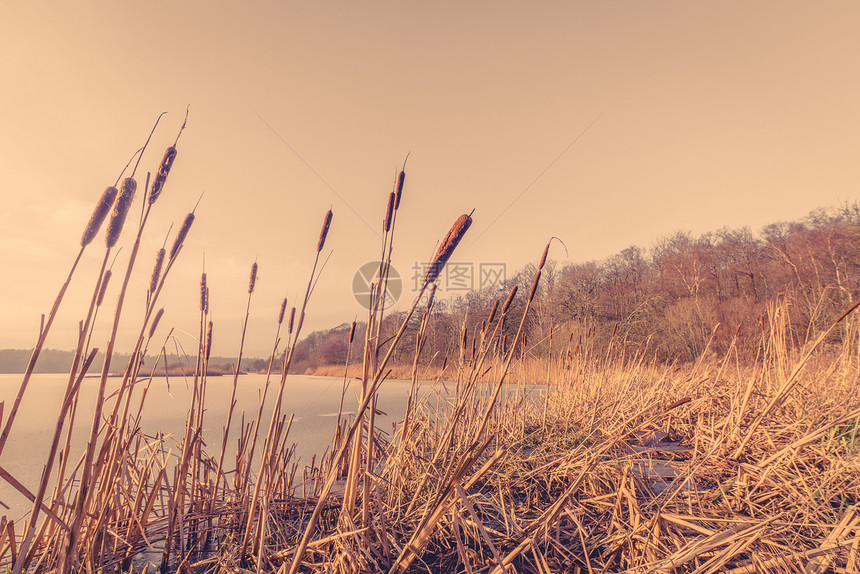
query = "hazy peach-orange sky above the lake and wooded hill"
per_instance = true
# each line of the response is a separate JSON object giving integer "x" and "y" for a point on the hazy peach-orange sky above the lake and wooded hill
{"x": 606, "y": 124}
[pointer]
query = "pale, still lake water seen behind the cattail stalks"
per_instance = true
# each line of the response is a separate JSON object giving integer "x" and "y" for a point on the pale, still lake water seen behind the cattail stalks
{"x": 313, "y": 400}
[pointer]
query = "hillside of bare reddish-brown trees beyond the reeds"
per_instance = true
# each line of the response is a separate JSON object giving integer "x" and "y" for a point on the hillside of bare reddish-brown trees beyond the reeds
{"x": 664, "y": 301}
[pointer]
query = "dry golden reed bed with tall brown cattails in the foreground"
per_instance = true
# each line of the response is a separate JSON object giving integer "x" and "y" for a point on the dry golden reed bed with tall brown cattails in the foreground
{"x": 621, "y": 464}
